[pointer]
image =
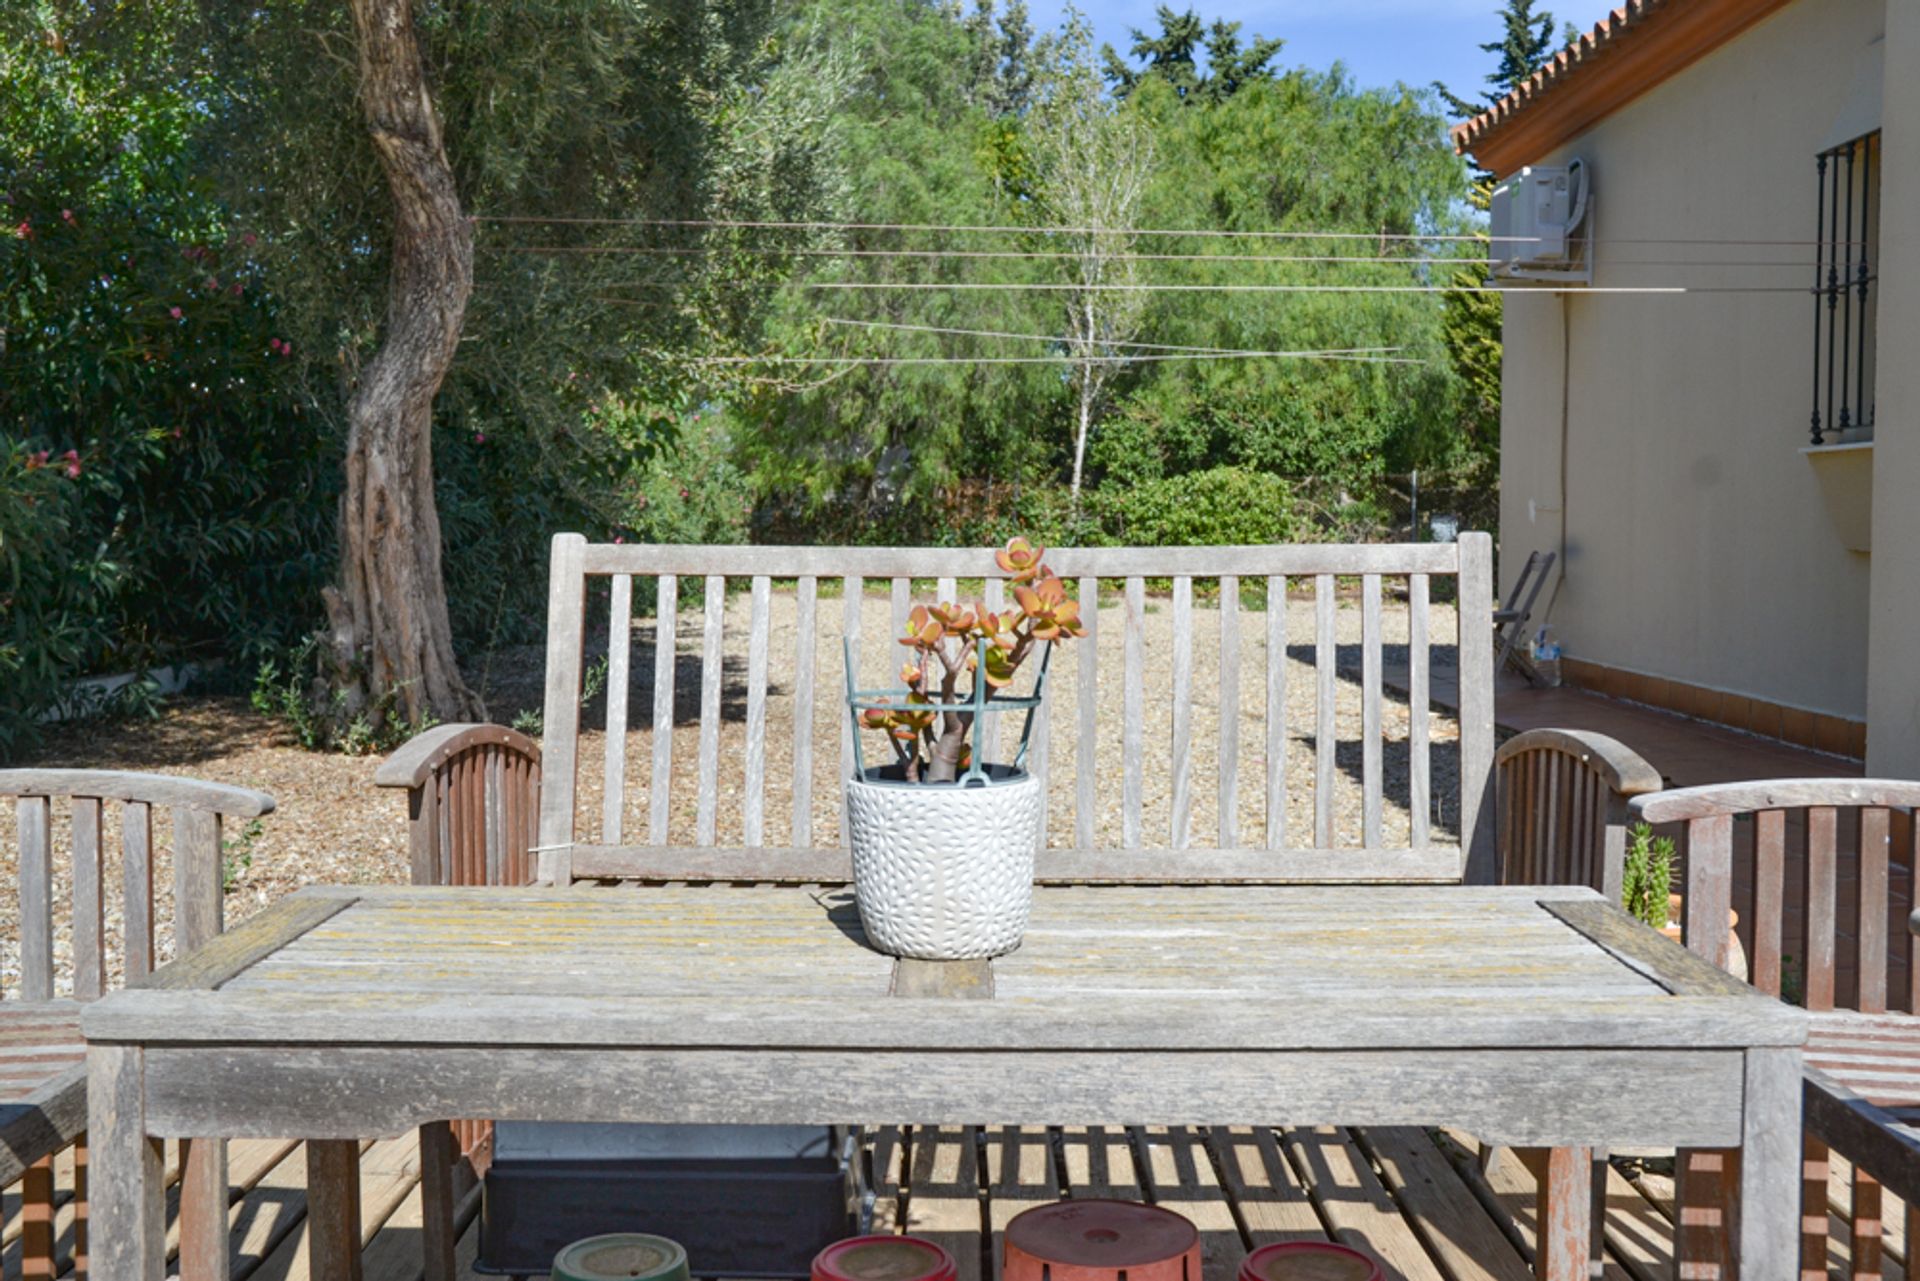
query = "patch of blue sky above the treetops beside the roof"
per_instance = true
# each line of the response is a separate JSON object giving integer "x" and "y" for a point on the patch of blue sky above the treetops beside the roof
{"x": 1380, "y": 41}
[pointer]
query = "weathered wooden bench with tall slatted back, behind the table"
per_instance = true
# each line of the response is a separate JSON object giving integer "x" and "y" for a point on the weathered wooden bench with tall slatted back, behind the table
{"x": 489, "y": 808}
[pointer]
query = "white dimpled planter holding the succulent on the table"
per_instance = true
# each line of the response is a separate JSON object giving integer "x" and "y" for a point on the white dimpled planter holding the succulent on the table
{"x": 946, "y": 873}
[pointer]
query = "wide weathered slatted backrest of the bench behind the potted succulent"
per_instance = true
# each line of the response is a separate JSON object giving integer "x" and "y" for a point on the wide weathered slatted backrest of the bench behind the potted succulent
{"x": 1374, "y": 790}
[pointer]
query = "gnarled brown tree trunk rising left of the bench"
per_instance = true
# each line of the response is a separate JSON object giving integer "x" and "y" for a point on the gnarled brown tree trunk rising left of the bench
{"x": 391, "y": 629}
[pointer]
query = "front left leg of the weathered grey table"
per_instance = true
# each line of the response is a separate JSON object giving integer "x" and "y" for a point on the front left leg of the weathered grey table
{"x": 128, "y": 1180}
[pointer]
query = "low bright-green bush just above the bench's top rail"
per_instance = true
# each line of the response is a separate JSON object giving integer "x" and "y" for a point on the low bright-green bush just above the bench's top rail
{"x": 1218, "y": 506}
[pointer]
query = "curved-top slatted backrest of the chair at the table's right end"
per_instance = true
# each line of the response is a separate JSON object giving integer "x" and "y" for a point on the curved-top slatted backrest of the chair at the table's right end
{"x": 1844, "y": 848}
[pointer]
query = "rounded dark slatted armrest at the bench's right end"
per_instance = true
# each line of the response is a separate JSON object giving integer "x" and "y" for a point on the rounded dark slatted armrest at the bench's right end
{"x": 1562, "y": 804}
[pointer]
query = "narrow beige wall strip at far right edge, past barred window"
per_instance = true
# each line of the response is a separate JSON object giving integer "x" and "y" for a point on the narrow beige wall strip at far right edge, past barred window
{"x": 1894, "y": 644}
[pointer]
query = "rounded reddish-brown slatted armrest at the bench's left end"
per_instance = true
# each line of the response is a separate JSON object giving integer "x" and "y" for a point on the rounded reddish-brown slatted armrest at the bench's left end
{"x": 473, "y": 804}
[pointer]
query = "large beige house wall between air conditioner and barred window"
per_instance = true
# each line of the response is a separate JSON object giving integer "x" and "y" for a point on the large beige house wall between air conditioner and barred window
{"x": 1696, "y": 541}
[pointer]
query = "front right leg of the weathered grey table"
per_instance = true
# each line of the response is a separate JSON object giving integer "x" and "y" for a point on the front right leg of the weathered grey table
{"x": 1771, "y": 1167}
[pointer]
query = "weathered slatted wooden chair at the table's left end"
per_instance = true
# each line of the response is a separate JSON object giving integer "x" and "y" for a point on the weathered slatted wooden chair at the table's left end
{"x": 43, "y": 1078}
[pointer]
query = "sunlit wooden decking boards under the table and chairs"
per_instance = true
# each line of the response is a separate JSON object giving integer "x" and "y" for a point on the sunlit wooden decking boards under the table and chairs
{"x": 1418, "y": 1199}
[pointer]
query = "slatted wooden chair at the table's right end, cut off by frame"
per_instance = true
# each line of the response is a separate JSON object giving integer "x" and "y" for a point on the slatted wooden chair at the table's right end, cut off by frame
{"x": 1848, "y": 846}
